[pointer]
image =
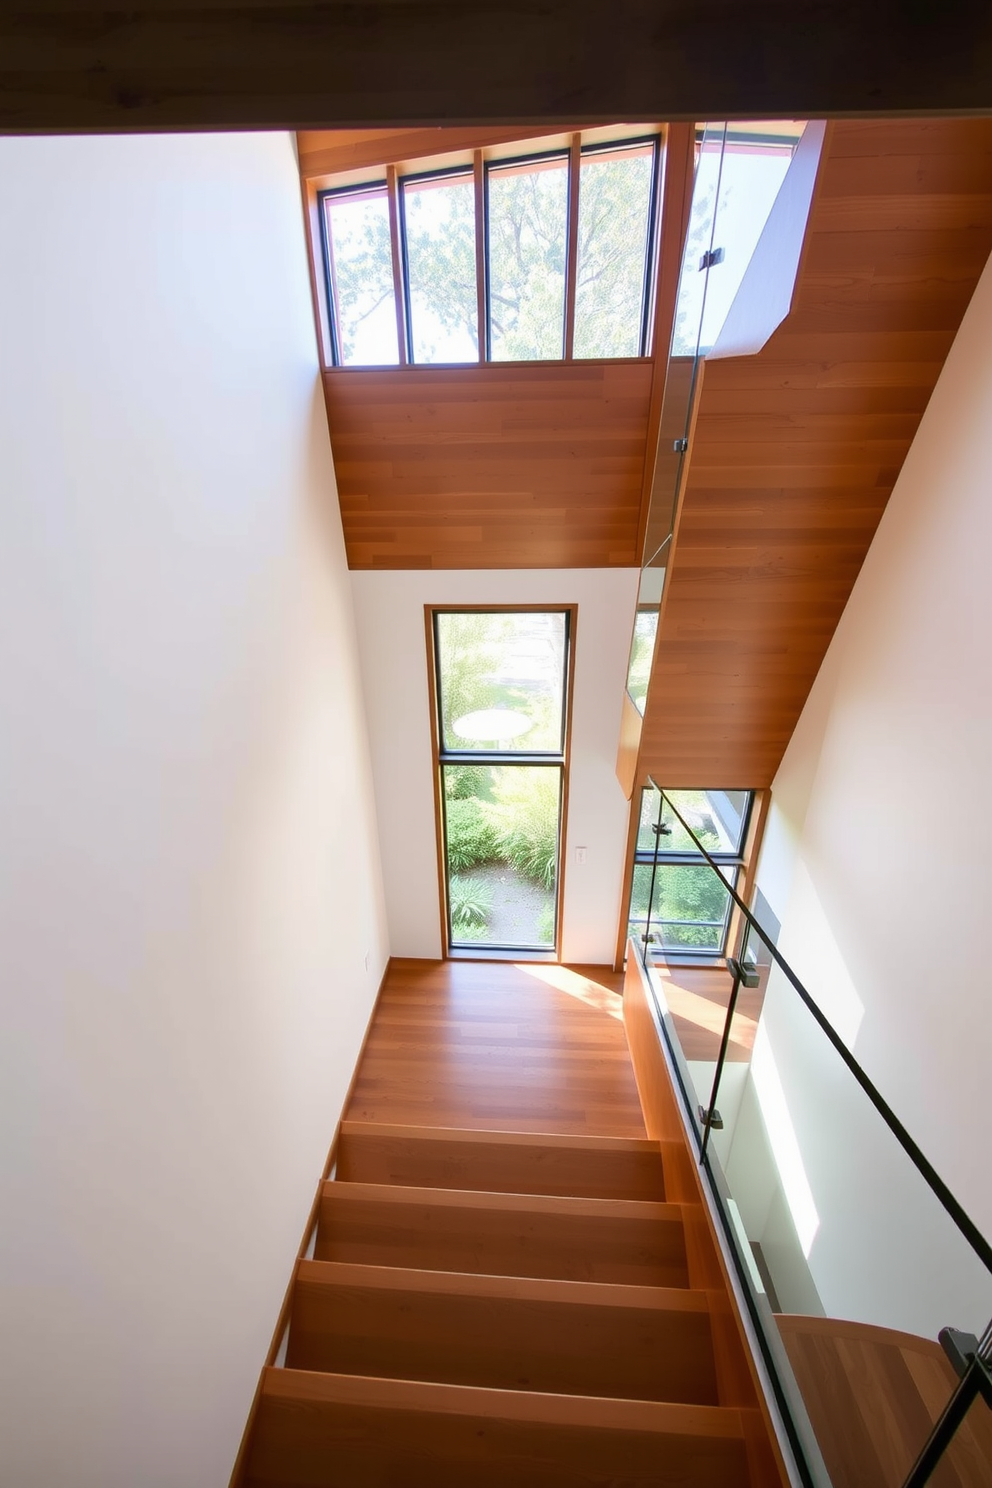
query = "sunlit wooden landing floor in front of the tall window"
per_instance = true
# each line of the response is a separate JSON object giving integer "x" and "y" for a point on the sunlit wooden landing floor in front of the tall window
{"x": 499, "y": 1047}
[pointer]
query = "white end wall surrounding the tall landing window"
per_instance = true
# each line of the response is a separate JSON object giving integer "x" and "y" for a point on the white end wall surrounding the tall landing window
{"x": 392, "y": 639}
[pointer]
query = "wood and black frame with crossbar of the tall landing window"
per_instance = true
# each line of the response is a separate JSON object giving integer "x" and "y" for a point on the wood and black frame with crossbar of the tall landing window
{"x": 441, "y": 757}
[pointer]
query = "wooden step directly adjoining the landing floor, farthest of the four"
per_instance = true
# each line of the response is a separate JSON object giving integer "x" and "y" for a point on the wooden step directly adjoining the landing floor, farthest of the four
{"x": 500, "y": 1163}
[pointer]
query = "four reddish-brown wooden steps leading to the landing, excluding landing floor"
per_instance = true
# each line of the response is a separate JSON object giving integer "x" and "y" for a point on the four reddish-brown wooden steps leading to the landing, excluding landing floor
{"x": 499, "y": 1309}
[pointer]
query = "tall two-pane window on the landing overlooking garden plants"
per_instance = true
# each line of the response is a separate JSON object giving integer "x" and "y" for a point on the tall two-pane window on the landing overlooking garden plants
{"x": 500, "y": 682}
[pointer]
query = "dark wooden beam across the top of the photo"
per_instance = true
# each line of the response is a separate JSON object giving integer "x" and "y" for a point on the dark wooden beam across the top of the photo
{"x": 166, "y": 65}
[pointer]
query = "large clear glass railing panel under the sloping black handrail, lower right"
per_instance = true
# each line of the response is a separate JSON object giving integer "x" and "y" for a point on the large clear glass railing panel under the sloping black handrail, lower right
{"x": 860, "y": 1263}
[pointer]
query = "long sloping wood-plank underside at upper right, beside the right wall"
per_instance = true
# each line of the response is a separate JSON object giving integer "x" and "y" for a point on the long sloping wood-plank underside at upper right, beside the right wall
{"x": 796, "y": 450}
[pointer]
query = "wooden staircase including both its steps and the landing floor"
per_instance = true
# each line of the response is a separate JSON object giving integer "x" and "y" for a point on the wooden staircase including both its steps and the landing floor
{"x": 541, "y": 1307}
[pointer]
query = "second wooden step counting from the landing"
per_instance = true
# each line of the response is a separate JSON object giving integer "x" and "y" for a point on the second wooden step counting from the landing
{"x": 509, "y": 1234}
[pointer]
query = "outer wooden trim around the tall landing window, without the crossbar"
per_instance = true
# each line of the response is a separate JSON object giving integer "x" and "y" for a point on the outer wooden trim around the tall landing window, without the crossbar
{"x": 437, "y": 764}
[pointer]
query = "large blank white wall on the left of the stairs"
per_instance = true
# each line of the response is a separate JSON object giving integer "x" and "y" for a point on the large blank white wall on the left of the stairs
{"x": 188, "y": 862}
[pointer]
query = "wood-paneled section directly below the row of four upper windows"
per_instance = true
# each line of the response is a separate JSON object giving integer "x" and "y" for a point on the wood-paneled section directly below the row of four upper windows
{"x": 514, "y": 466}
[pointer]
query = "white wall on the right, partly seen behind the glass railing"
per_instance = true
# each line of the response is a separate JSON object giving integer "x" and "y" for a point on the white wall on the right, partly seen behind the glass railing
{"x": 878, "y": 865}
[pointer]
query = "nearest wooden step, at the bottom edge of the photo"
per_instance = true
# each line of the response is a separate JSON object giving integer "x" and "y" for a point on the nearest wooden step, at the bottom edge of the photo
{"x": 325, "y": 1431}
